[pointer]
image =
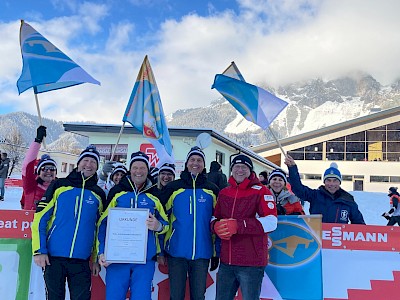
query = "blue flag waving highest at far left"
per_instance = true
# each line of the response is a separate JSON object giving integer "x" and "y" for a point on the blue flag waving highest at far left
{"x": 45, "y": 67}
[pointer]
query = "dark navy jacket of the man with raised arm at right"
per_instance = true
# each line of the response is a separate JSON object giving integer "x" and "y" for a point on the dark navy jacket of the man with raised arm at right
{"x": 335, "y": 208}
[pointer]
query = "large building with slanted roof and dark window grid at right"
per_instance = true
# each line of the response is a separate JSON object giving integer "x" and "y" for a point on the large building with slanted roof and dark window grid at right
{"x": 366, "y": 150}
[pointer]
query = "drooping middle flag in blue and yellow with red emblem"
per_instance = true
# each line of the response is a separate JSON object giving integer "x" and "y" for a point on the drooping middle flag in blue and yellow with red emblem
{"x": 145, "y": 112}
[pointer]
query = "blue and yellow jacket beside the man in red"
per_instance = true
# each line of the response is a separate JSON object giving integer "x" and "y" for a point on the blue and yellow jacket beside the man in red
{"x": 190, "y": 202}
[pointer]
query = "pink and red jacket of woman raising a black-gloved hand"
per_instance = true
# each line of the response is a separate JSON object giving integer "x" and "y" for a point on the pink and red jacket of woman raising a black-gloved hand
{"x": 33, "y": 186}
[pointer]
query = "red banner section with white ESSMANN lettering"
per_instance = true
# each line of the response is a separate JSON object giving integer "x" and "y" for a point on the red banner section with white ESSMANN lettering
{"x": 360, "y": 237}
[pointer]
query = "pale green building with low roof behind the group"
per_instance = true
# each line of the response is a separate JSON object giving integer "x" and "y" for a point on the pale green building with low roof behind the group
{"x": 217, "y": 146}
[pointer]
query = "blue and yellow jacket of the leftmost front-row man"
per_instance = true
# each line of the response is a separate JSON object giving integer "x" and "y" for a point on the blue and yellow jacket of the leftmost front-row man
{"x": 65, "y": 221}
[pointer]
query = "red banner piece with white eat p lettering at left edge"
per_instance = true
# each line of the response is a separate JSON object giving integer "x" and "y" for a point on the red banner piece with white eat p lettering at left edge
{"x": 16, "y": 223}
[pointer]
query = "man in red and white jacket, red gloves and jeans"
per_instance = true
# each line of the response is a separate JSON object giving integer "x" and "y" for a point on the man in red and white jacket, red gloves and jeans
{"x": 244, "y": 214}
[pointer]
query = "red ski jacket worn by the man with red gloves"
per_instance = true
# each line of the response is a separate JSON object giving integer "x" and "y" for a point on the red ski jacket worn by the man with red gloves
{"x": 251, "y": 203}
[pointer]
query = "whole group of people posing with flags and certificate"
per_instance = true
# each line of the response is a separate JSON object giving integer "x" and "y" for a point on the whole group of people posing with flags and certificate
{"x": 196, "y": 223}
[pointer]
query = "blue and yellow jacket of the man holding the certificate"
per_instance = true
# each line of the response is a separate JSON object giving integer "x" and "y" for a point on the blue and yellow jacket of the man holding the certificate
{"x": 125, "y": 195}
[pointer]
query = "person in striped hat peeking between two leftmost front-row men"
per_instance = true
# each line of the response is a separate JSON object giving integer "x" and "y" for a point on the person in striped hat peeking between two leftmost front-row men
{"x": 110, "y": 175}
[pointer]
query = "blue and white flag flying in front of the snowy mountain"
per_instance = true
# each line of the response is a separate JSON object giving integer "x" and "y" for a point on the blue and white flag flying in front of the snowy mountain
{"x": 254, "y": 103}
